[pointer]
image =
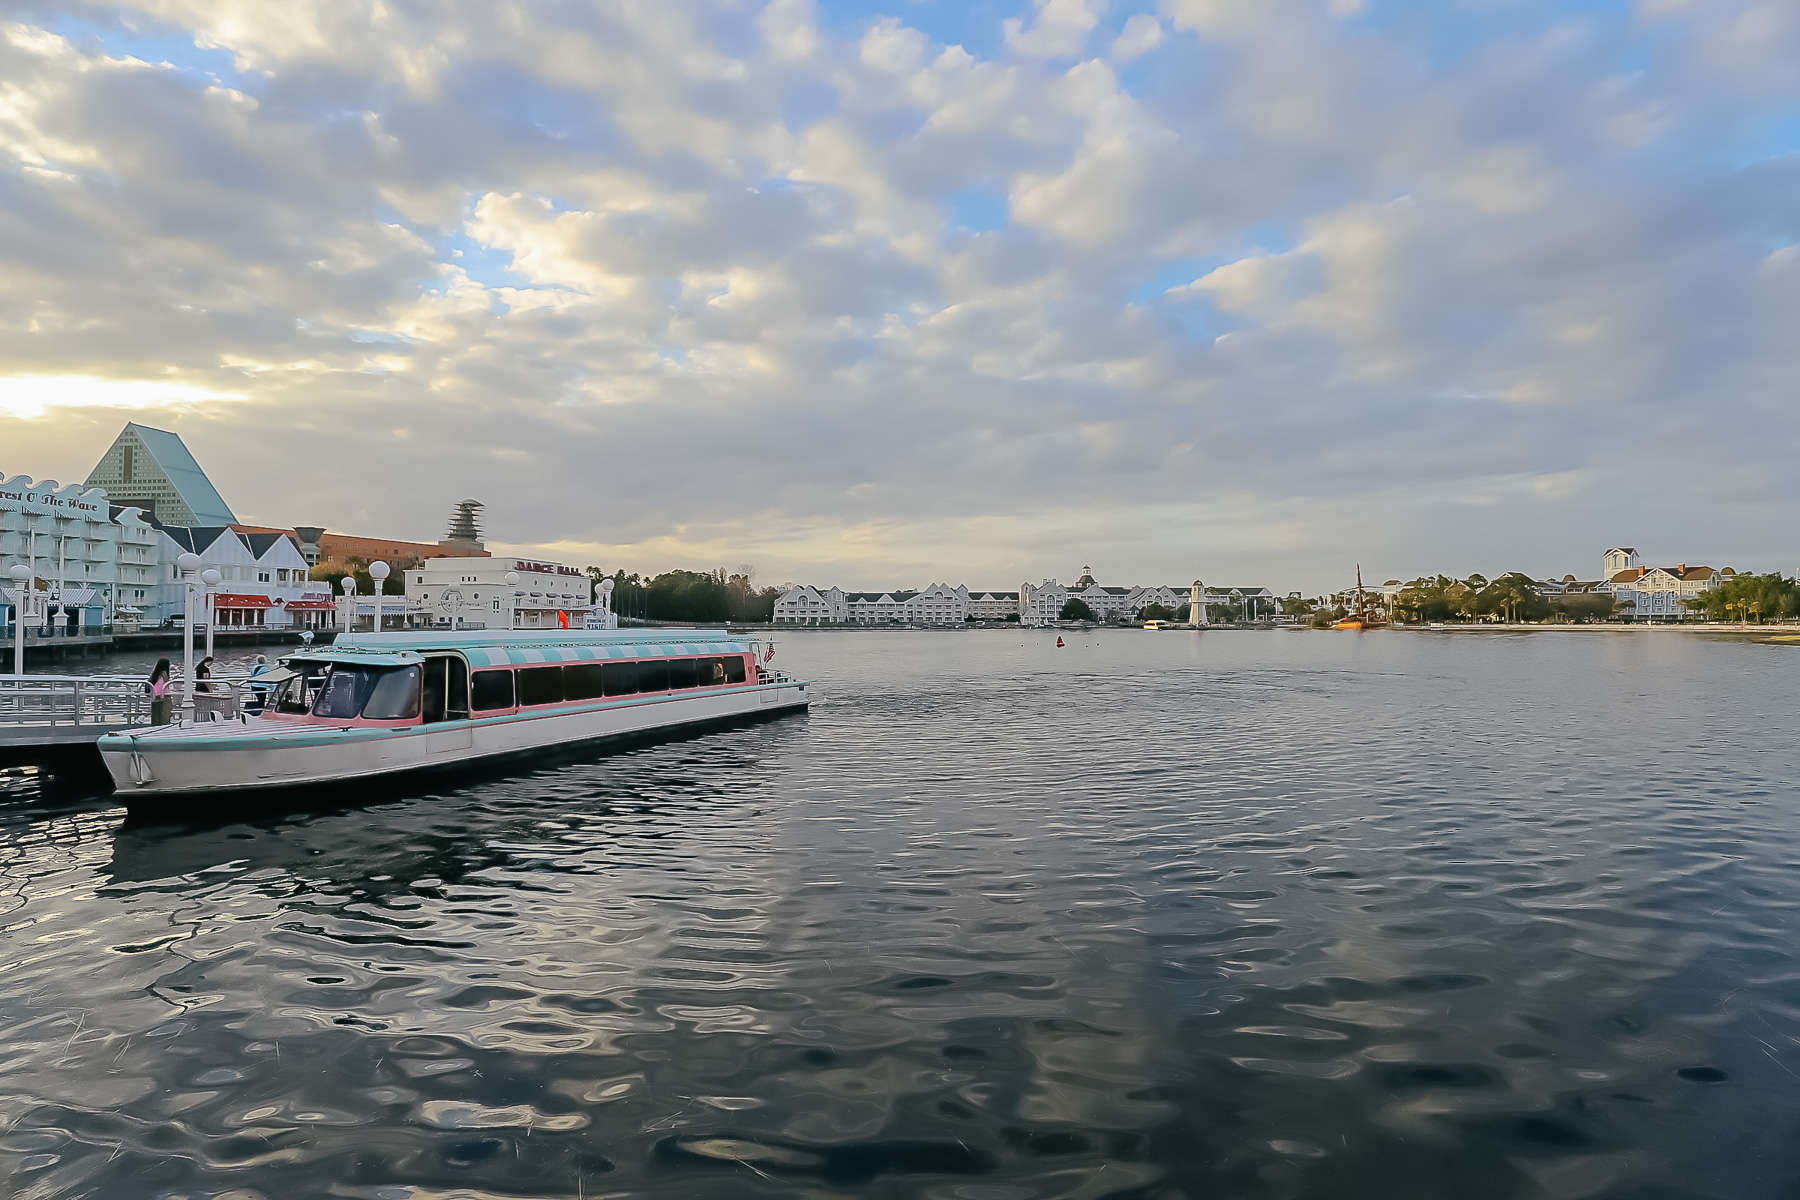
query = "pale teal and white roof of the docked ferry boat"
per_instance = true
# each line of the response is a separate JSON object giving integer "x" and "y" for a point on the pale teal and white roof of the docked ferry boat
{"x": 498, "y": 649}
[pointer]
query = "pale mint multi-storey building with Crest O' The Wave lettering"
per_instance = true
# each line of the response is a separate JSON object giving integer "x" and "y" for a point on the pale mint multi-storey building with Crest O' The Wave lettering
{"x": 98, "y": 560}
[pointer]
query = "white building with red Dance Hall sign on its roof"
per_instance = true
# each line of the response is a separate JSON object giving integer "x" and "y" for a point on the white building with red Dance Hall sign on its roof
{"x": 474, "y": 595}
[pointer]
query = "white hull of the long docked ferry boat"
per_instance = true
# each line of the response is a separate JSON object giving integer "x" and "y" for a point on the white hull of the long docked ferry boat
{"x": 271, "y": 755}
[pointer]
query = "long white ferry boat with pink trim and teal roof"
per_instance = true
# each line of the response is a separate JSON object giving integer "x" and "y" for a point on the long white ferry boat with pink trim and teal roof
{"x": 379, "y": 704}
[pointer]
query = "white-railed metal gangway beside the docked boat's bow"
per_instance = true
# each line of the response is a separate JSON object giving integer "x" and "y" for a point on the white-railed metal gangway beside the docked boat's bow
{"x": 40, "y": 712}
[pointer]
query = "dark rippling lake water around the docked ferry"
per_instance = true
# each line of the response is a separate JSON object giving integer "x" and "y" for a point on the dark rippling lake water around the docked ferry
{"x": 1155, "y": 915}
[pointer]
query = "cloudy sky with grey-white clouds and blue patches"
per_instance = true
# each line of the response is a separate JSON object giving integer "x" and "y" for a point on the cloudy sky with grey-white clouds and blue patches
{"x": 876, "y": 292}
